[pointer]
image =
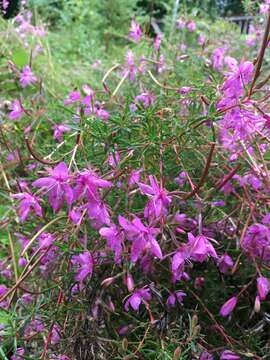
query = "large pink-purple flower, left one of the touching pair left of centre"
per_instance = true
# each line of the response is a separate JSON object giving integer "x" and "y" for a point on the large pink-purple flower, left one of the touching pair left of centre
{"x": 57, "y": 186}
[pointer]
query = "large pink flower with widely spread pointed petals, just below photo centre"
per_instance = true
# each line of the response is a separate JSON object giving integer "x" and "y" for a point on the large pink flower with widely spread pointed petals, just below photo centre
{"x": 142, "y": 237}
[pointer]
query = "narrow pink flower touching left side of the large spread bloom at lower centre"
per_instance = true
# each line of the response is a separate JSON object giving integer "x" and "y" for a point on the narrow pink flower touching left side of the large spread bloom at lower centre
{"x": 115, "y": 238}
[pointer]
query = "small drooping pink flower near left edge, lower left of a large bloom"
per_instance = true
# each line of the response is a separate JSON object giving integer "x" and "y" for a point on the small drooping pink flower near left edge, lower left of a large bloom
{"x": 28, "y": 203}
